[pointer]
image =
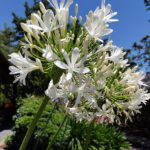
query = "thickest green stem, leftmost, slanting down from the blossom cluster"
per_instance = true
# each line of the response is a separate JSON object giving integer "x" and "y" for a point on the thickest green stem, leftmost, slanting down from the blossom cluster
{"x": 33, "y": 125}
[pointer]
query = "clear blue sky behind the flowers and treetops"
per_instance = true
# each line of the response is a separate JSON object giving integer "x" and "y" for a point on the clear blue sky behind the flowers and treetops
{"x": 133, "y": 18}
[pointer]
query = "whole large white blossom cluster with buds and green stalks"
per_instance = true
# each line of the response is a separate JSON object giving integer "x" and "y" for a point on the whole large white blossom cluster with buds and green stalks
{"x": 89, "y": 78}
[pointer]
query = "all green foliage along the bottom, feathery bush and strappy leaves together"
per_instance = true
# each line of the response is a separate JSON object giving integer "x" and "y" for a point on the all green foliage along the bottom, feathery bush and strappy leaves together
{"x": 72, "y": 135}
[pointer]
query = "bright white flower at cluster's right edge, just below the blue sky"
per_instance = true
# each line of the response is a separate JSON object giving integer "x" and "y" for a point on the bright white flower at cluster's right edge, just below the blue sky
{"x": 117, "y": 56}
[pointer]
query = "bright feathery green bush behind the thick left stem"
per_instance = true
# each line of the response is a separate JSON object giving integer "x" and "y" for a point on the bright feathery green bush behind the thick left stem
{"x": 46, "y": 127}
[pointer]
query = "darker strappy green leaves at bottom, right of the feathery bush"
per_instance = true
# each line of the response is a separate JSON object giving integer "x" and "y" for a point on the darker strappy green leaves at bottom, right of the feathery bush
{"x": 102, "y": 137}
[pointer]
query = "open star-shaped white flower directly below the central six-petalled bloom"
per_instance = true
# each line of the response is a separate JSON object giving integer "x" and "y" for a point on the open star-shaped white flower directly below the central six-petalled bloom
{"x": 83, "y": 91}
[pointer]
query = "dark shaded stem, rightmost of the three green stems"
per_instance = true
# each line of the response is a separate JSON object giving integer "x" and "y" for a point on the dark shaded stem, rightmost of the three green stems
{"x": 89, "y": 131}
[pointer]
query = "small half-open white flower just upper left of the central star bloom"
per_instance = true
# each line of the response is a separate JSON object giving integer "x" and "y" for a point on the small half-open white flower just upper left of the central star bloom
{"x": 48, "y": 54}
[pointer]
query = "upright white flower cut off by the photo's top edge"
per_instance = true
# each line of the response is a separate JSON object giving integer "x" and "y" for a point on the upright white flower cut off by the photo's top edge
{"x": 62, "y": 10}
